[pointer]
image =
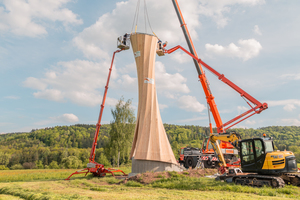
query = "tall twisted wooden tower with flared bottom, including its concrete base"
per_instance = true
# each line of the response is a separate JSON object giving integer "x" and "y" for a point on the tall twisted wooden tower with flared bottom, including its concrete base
{"x": 150, "y": 141}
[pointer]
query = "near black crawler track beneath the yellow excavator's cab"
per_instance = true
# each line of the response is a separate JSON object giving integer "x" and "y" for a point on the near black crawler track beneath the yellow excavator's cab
{"x": 259, "y": 180}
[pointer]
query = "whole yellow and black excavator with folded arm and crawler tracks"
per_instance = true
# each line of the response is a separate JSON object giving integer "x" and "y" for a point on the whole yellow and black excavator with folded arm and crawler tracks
{"x": 261, "y": 165}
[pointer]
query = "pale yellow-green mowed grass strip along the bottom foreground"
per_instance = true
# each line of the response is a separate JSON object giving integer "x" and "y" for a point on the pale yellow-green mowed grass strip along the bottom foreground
{"x": 94, "y": 189}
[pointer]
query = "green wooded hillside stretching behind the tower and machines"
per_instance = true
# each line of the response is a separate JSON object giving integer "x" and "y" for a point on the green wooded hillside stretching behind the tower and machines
{"x": 70, "y": 146}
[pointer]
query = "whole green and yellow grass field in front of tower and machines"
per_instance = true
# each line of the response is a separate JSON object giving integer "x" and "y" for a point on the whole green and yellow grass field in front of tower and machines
{"x": 50, "y": 184}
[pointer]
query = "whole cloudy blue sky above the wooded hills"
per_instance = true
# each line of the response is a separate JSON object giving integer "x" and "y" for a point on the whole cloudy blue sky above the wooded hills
{"x": 55, "y": 56}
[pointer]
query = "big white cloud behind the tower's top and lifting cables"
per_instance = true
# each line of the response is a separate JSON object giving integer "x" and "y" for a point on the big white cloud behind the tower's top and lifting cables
{"x": 100, "y": 38}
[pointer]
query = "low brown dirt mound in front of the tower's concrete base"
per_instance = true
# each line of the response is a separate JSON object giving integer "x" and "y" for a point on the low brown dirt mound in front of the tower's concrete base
{"x": 150, "y": 177}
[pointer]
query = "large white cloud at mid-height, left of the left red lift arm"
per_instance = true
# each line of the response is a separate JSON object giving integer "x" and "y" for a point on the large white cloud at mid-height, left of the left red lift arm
{"x": 77, "y": 81}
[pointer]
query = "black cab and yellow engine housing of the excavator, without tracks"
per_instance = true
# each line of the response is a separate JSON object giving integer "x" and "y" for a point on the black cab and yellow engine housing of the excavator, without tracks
{"x": 258, "y": 156}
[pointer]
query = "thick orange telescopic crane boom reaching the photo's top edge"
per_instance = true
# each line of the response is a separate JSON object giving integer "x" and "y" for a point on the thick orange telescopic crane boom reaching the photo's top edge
{"x": 209, "y": 97}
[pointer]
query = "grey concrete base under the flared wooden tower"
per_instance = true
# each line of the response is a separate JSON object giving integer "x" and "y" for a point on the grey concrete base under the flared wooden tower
{"x": 142, "y": 166}
